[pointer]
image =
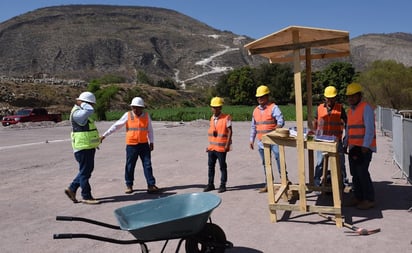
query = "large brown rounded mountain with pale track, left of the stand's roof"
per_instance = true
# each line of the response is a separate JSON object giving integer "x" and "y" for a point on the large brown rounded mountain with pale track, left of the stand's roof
{"x": 86, "y": 41}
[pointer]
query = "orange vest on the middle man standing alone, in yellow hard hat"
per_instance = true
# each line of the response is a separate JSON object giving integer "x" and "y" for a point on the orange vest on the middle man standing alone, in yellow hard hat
{"x": 218, "y": 135}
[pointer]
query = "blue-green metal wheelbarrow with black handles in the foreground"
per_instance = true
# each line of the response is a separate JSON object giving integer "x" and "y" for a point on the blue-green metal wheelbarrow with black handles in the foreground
{"x": 184, "y": 216}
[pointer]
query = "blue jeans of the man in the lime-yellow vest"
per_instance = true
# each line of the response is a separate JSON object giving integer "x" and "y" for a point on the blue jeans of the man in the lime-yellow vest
{"x": 85, "y": 159}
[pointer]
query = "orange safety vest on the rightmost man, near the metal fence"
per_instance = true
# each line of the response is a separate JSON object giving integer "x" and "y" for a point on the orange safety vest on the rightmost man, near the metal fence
{"x": 356, "y": 126}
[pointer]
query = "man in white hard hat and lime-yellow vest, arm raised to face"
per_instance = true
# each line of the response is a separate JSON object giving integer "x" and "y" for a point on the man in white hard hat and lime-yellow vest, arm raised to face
{"x": 85, "y": 140}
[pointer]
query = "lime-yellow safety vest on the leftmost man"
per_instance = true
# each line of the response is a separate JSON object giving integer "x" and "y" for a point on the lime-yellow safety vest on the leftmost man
{"x": 84, "y": 137}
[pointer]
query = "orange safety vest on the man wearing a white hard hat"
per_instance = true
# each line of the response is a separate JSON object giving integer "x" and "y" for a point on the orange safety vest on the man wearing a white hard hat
{"x": 137, "y": 128}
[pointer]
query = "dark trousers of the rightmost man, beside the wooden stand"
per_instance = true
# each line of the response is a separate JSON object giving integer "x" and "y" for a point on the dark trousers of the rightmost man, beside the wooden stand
{"x": 361, "y": 179}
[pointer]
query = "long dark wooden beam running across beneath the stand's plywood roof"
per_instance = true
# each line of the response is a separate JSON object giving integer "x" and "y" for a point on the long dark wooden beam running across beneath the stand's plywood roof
{"x": 299, "y": 45}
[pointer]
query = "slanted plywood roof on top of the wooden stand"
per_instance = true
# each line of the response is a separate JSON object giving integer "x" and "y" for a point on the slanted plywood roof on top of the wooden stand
{"x": 279, "y": 46}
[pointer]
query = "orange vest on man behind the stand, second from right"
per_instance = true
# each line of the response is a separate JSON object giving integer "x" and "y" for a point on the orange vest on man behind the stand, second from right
{"x": 332, "y": 123}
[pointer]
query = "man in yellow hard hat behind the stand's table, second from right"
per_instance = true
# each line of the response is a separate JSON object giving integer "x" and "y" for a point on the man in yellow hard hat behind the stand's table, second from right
{"x": 330, "y": 119}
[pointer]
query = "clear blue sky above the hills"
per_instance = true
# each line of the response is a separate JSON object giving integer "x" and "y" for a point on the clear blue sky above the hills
{"x": 258, "y": 18}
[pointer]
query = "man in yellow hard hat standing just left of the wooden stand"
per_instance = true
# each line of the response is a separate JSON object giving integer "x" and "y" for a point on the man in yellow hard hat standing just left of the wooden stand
{"x": 266, "y": 117}
